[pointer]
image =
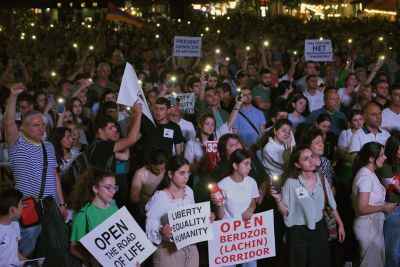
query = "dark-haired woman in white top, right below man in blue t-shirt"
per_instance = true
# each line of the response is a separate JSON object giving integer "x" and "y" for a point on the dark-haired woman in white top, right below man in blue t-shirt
{"x": 279, "y": 142}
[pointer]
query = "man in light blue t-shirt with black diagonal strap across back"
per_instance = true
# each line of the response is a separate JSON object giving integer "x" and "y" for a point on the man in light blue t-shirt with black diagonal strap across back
{"x": 250, "y": 122}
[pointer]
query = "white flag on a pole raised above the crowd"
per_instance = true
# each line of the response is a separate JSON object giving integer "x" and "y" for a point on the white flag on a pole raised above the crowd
{"x": 131, "y": 91}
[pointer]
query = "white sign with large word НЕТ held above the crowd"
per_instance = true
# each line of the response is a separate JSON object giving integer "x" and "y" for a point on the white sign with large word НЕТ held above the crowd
{"x": 318, "y": 50}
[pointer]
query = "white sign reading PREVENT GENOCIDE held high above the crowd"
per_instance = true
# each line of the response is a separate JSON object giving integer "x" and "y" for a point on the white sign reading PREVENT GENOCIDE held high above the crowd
{"x": 185, "y": 46}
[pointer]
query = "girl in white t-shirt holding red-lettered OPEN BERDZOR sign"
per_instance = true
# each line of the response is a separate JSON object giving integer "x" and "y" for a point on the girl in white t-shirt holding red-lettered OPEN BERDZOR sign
{"x": 240, "y": 191}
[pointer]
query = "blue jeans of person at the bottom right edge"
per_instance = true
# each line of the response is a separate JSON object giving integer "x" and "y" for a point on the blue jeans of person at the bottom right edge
{"x": 391, "y": 230}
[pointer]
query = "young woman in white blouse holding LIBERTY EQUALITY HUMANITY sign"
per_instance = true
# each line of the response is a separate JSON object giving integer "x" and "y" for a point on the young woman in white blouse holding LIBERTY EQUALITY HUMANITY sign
{"x": 173, "y": 192}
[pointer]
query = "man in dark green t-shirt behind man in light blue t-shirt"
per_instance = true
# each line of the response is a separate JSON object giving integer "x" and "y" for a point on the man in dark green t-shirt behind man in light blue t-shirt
{"x": 262, "y": 92}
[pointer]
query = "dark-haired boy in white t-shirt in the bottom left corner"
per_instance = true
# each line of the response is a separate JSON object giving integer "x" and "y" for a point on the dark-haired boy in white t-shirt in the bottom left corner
{"x": 10, "y": 211}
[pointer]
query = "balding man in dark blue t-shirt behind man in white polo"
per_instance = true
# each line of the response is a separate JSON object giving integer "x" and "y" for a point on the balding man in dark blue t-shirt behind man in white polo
{"x": 332, "y": 108}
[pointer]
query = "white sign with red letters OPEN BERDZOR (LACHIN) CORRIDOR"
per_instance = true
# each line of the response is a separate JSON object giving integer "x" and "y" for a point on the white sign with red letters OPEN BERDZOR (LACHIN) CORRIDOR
{"x": 236, "y": 241}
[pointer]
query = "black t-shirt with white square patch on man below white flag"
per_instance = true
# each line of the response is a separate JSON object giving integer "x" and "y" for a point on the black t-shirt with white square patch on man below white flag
{"x": 159, "y": 135}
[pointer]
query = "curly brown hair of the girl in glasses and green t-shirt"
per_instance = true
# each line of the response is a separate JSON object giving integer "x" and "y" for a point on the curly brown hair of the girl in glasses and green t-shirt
{"x": 82, "y": 192}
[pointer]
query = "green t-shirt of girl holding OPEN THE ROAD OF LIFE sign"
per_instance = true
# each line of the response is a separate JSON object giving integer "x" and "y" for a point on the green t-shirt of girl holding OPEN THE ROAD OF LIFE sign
{"x": 88, "y": 218}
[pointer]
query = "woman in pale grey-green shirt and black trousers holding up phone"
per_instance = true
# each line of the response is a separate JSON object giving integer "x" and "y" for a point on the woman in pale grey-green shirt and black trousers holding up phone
{"x": 301, "y": 203}
